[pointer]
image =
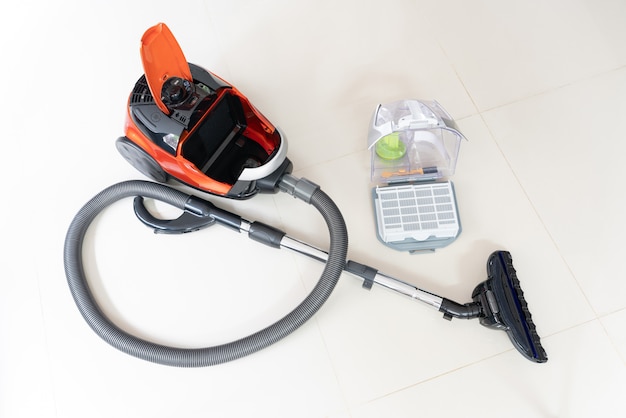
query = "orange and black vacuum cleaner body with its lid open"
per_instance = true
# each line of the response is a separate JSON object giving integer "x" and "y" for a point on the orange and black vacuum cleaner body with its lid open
{"x": 184, "y": 122}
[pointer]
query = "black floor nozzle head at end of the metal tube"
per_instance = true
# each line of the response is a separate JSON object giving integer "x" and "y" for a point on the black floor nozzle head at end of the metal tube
{"x": 504, "y": 306}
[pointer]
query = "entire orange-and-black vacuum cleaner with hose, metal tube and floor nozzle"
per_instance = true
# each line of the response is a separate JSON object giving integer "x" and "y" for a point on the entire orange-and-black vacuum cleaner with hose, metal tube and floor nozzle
{"x": 187, "y": 124}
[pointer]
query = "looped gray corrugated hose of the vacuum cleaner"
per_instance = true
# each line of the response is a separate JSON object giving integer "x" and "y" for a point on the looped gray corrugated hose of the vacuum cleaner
{"x": 194, "y": 357}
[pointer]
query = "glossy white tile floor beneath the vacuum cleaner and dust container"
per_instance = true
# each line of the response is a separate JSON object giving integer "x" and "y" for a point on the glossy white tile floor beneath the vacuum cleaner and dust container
{"x": 539, "y": 89}
